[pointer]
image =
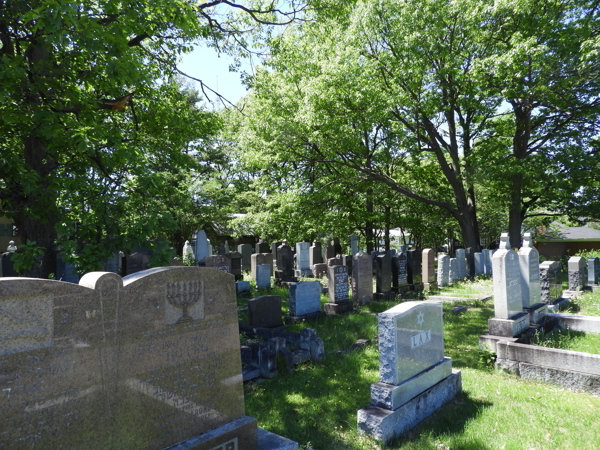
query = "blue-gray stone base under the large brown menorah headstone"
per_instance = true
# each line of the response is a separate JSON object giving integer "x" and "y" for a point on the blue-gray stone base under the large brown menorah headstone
{"x": 242, "y": 431}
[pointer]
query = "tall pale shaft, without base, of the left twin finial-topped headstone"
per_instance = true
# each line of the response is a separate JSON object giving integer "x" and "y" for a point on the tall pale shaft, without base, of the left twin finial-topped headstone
{"x": 508, "y": 300}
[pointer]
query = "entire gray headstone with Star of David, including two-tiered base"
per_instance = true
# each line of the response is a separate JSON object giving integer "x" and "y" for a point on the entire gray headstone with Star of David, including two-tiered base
{"x": 415, "y": 377}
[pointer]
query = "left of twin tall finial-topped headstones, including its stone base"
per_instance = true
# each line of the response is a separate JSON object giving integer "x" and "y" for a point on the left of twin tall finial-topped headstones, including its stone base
{"x": 509, "y": 318}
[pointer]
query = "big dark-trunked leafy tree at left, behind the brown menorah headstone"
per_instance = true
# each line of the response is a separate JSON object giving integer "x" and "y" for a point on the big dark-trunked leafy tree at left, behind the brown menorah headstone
{"x": 90, "y": 123}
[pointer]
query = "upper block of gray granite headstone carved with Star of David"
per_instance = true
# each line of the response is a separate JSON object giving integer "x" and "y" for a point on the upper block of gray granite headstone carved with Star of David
{"x": 411, "y": 339}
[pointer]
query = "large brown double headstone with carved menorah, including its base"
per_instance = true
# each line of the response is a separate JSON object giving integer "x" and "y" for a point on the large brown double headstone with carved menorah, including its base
{"x": 146, "y": 362}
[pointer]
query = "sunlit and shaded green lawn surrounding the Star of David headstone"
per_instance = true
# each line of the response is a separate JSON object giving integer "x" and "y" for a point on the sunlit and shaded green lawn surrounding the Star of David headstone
{"x": 317, "y": 404}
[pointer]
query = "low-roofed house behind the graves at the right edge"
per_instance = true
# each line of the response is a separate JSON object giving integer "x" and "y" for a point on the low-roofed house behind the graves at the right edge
{"x": 559, "y": 240}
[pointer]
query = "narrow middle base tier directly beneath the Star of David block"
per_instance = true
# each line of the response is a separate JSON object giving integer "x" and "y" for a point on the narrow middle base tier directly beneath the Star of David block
{"x": 389, "y": 396}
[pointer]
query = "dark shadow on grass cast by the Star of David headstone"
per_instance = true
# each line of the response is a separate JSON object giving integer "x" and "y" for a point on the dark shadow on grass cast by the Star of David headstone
{"x": 447, "y": 424}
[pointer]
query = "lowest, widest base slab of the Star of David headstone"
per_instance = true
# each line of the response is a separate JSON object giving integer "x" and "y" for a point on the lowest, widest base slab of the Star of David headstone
{"x": 384, "y": 425}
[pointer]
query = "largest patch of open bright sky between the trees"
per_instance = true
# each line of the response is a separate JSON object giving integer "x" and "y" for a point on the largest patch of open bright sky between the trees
{"x": 205, "y": 64}
